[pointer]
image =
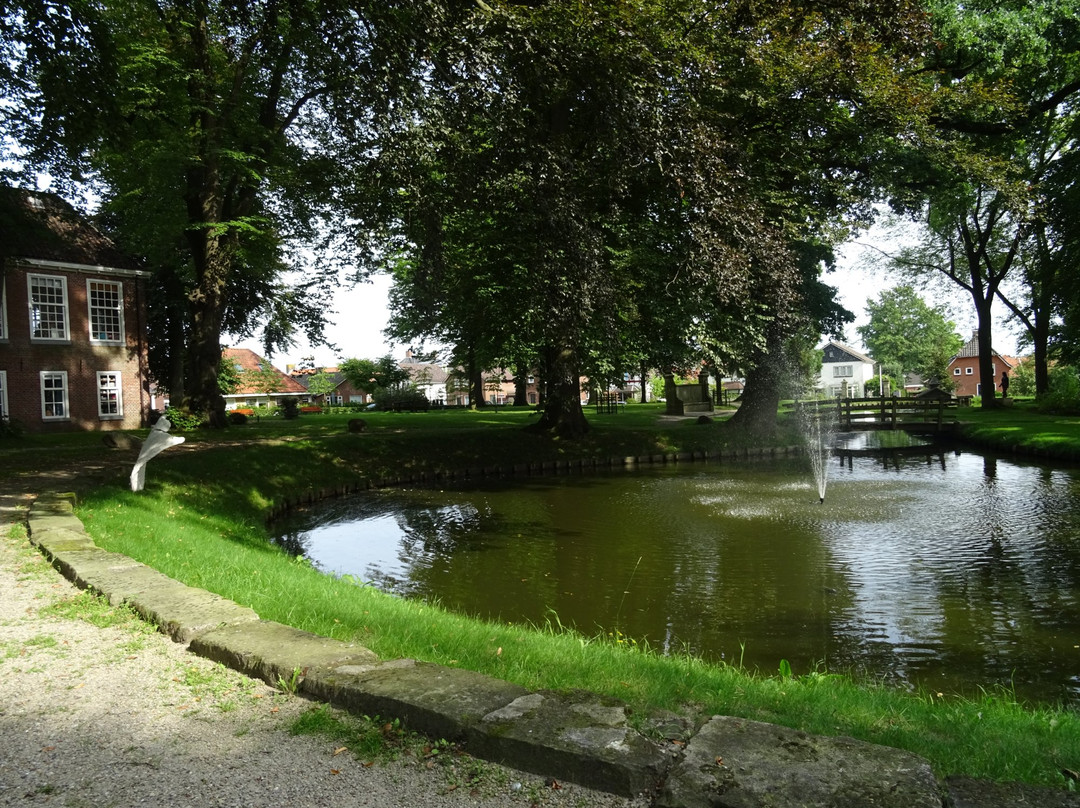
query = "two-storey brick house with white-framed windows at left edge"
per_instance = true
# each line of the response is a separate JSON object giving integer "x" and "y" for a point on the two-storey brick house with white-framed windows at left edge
{"x": 73, "y": 321}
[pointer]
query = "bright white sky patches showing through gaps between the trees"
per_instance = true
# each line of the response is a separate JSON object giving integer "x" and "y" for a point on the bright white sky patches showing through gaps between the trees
{"x": 361, "y": 313}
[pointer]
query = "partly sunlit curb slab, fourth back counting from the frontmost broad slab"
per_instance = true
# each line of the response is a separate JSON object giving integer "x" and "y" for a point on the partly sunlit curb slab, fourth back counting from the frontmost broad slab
{"x": 276, "y": 653}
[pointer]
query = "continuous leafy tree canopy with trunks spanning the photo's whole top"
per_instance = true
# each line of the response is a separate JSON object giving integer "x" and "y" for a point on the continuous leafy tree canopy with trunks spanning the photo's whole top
{"x": 579, "y": 187}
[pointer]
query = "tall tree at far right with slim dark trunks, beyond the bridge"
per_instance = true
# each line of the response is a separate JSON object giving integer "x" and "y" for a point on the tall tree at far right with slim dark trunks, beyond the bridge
{"x": 1007, "y": 79}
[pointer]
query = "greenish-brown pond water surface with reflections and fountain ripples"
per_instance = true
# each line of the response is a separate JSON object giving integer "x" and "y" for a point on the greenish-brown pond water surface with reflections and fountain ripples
{"x": 951, "y": 572}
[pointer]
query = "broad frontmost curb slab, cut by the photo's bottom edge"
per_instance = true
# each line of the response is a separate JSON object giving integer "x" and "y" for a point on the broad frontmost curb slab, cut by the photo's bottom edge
{"x": 735, "y": 763}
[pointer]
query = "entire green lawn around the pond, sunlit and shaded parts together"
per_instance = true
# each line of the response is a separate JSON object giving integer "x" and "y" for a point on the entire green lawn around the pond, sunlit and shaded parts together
{"x": 202, "y": 520}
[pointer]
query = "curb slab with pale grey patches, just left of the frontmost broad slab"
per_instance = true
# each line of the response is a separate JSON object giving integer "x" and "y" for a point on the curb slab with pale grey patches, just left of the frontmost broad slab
{"x": 579, "y": 737}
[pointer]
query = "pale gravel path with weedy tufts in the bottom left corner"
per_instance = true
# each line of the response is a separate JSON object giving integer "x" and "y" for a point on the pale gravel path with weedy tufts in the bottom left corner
{"x": 99, "y": 710}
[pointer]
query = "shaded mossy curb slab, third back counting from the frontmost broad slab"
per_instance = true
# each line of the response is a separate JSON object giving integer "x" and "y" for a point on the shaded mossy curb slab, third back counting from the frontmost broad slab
{"x": 440, "y": 702}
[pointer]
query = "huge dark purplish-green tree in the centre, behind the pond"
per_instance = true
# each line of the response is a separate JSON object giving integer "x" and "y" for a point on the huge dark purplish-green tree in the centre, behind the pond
{"x": 610, "y": 184}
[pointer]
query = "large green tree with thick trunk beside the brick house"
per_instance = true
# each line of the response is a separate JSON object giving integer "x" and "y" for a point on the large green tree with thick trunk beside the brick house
{"x": 218, "y": 125}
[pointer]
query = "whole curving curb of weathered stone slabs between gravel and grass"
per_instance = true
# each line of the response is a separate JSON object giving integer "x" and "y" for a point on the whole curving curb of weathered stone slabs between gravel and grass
{"x": 577, "y": 737}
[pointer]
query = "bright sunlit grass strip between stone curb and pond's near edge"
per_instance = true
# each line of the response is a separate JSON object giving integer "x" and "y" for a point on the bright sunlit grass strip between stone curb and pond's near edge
{"x": 231, "y": 554}
